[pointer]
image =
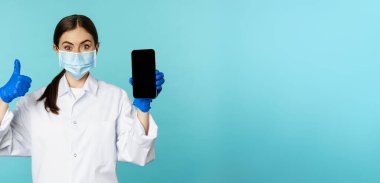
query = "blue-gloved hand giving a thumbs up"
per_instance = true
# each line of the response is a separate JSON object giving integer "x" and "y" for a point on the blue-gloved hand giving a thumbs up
{"x": 18, "y": 85}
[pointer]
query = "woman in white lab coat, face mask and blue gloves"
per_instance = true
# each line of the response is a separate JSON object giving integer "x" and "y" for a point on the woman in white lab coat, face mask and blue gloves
{"x": 77, "y": 127}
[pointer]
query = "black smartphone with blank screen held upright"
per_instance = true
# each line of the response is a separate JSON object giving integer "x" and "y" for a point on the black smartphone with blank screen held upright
{"x": 144, "y": 73}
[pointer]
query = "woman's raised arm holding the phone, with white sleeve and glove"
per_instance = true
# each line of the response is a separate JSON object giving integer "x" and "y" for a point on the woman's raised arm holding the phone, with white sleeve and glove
{"x": 136, "y": 129}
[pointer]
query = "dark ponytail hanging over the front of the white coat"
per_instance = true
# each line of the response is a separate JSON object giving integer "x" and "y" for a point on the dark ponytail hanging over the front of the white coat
{"x": 51, "y": 93}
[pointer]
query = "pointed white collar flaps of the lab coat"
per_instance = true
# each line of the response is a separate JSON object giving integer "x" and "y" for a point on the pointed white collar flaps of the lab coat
{"x": 90, "y": 85}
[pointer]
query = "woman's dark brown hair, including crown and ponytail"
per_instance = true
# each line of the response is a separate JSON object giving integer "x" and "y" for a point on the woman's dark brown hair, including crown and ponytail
{"x": 66, "y": 24}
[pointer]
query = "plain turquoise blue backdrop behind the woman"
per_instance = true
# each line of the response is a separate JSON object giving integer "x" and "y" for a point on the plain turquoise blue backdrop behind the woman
{"x": 256, "y": 91}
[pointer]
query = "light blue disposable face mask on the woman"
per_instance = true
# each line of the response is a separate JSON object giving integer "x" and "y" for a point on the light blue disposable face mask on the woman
{"x": 78, "y": 64}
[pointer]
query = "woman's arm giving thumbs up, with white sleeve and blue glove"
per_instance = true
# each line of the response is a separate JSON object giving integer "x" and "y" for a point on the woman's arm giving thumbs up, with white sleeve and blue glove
{"x": 14, "y": 131}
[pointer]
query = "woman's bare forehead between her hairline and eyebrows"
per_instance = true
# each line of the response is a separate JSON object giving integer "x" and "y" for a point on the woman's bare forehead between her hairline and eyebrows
{"x": 76, "y": 36}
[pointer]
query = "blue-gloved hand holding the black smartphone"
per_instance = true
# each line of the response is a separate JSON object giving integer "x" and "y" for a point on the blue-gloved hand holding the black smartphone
{"x": 144, "y": 104}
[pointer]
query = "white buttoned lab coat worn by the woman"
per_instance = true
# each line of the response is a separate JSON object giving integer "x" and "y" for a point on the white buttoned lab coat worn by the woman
{"x": 83, "y": 143}
